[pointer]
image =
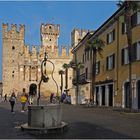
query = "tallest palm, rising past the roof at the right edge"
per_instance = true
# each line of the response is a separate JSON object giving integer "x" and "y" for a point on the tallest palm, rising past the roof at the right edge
{"x": 129, "y": 7}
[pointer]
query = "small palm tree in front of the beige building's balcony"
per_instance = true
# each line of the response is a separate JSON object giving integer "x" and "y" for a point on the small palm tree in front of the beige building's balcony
{"x": 76, "y": 67}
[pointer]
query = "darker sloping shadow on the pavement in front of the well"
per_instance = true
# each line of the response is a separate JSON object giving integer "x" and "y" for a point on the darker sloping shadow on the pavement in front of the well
{"x": 84, "y": 130}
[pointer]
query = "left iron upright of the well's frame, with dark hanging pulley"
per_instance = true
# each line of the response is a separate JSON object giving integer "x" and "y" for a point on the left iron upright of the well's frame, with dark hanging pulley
{"x": 44, "y": 77}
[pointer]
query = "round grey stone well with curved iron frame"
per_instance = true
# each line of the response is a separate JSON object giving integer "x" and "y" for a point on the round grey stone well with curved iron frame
{"x": 44, "y": 118}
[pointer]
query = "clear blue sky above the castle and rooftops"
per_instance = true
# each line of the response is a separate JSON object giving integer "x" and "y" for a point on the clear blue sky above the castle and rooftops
{"x": 69, "y": 14}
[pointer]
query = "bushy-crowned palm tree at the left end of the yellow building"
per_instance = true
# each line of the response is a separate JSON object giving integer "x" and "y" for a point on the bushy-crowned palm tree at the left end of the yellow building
{"x": 94, "y": 46}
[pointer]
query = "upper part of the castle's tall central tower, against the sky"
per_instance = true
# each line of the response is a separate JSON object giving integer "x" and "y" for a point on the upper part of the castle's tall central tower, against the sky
{"x": 49, "y": 35}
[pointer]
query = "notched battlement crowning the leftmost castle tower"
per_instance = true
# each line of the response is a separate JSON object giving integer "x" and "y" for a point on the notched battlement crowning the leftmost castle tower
{"x": 13, "y": 33}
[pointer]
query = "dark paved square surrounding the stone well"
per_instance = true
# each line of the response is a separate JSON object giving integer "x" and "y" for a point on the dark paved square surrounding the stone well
{"x": 83, "y": 122}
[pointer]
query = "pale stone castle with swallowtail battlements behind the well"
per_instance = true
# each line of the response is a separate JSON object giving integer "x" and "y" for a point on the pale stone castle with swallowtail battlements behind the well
{"x": 21, "y": 66}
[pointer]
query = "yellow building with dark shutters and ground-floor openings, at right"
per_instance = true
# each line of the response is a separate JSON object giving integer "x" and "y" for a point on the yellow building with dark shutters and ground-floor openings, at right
{"x": 112, "y": 70}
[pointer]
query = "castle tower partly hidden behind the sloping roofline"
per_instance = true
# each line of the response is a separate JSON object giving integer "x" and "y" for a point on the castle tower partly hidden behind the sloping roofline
{"x": 77, "y": 35}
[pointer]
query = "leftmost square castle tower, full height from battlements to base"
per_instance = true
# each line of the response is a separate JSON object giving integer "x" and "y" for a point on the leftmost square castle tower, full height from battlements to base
{"x": 12, "y": 42}
